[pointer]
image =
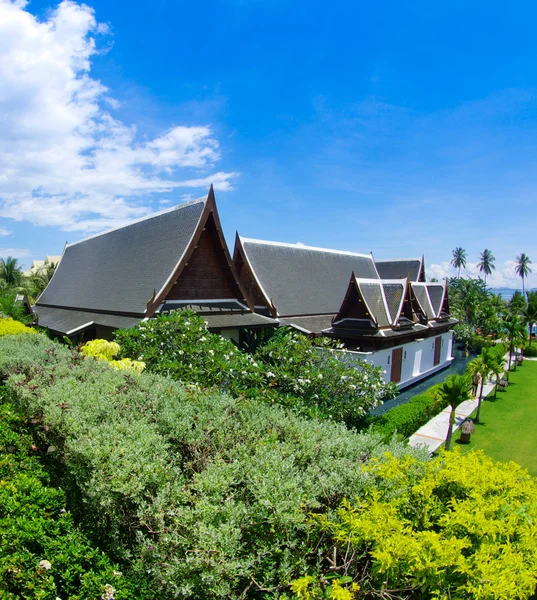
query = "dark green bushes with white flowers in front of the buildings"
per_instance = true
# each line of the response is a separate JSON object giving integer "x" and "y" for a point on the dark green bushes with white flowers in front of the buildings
{"x": 289, "y": 369}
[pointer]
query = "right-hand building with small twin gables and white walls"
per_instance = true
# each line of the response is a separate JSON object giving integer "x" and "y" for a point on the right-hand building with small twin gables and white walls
{"x": 383, "y": 311}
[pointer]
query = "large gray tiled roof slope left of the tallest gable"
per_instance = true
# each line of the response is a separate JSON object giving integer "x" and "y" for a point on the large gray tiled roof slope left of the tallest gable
{"x": 117, "y": 271}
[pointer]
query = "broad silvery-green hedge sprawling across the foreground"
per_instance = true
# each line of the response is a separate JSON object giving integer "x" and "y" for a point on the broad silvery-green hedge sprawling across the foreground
{"x": 205, "y": 495}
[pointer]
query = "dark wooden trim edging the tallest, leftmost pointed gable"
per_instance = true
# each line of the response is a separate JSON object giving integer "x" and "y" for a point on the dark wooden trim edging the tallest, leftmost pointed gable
{"x": 209, "y": 211}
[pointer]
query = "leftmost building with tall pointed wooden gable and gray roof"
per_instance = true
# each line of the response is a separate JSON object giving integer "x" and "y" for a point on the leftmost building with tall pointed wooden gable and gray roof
{"x": 177, "y": 258}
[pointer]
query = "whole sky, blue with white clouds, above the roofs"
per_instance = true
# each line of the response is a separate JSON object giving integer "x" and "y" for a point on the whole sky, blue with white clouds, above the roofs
{"x": 401, "y": 128}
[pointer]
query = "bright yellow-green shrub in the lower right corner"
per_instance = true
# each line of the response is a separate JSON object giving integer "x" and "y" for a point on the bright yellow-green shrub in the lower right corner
{"x": 456, "y": 527}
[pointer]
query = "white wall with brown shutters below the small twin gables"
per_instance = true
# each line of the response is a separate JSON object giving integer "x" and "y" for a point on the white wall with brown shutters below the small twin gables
{"x": 418, "y": 358}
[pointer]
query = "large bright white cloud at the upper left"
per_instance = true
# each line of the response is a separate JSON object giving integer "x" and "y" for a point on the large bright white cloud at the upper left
{"x": 65, "y": 160}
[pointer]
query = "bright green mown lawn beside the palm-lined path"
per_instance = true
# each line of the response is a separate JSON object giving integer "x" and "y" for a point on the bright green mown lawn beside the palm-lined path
{"x": 509, "y": 424}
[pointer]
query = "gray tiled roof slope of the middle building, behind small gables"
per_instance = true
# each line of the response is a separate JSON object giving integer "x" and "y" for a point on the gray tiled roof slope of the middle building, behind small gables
{"x": 300, "y": 280}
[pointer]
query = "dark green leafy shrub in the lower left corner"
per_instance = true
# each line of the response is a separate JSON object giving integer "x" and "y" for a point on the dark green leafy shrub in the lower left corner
{"x": 42, "y": 555}
